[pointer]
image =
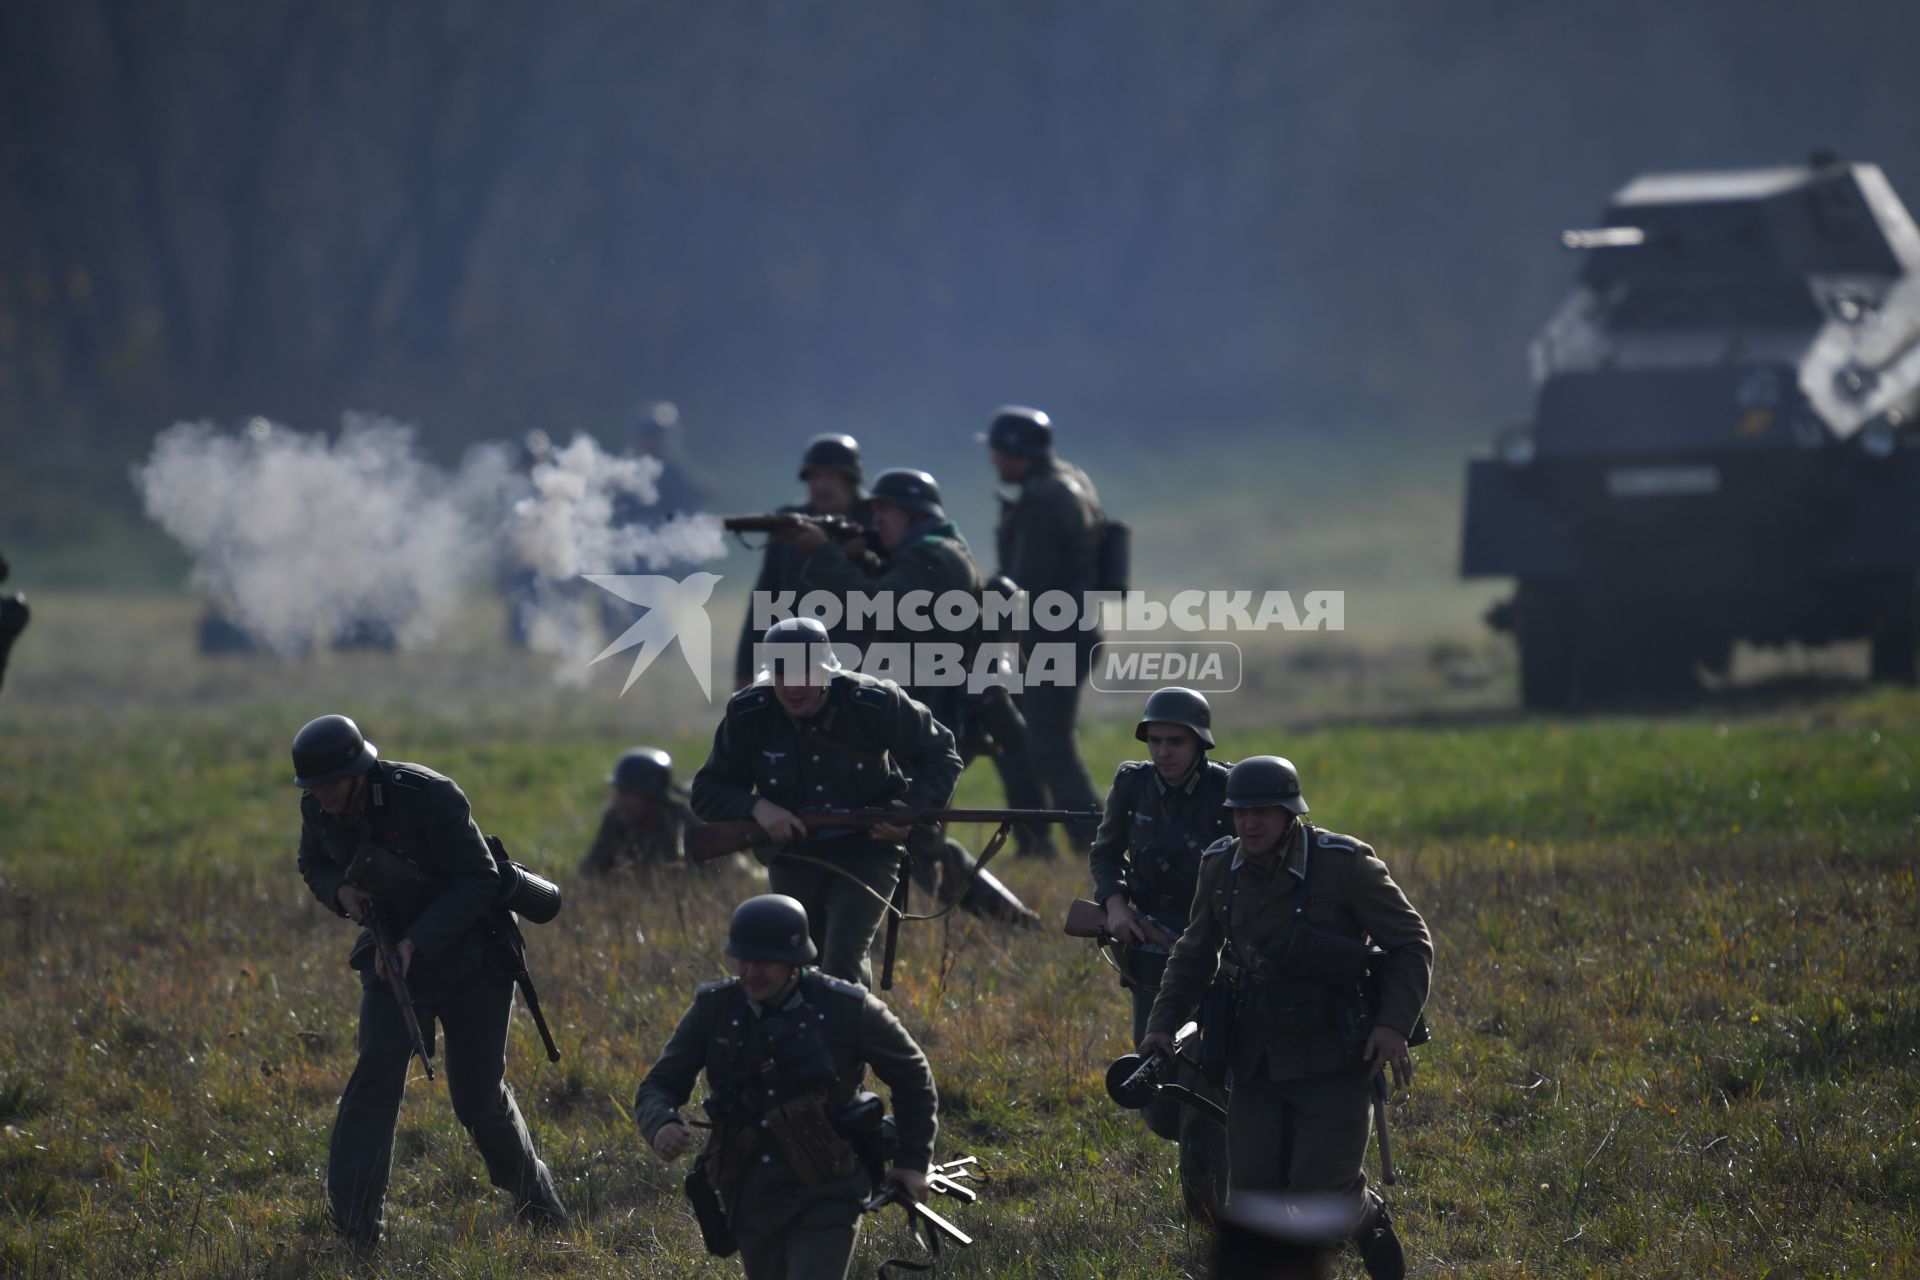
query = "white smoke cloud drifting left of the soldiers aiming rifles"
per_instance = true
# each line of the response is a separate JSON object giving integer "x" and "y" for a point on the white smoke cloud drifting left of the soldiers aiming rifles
{"x": 299, "y": 538}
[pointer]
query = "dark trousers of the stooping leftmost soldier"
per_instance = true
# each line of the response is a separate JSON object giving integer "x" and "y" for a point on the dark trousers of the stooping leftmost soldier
{"x": 473, "y": 1031}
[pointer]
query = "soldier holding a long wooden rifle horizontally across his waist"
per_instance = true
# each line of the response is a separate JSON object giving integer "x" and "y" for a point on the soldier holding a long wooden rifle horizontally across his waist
{"x": 819, "y": 736}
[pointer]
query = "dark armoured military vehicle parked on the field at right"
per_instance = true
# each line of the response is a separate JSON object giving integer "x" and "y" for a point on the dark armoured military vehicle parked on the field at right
{"x": 1723, "y": 442}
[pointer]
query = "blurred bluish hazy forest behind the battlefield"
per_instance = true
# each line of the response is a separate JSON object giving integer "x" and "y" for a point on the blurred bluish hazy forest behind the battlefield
{"x": 1214, "y": 225}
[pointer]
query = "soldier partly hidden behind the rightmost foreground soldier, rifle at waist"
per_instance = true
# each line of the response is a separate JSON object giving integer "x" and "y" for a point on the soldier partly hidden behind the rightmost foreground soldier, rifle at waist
{"x": 1161, "y": 817}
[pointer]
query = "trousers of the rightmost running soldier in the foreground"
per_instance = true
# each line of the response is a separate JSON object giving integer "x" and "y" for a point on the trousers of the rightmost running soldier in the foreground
{"x": 1301, "y": 1135}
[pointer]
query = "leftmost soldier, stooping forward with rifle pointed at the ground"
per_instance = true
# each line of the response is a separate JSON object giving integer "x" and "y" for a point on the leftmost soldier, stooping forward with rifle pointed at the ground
{"x": 454, "y": 951}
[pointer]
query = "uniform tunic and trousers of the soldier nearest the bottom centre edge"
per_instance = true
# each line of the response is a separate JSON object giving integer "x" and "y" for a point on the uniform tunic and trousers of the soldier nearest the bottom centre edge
{"x": 788, "y": 1229}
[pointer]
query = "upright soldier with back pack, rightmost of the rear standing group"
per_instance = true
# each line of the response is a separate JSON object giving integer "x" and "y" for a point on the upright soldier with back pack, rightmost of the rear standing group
{"x": 1049, "y": 540}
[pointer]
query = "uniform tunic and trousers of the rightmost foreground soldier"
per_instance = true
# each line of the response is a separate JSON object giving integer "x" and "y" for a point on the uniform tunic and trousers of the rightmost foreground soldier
{"x": 1301, "y": 1099}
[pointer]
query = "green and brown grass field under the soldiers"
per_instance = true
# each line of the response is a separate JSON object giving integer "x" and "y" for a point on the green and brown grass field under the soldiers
{"x": 1675, "y": 1016}
